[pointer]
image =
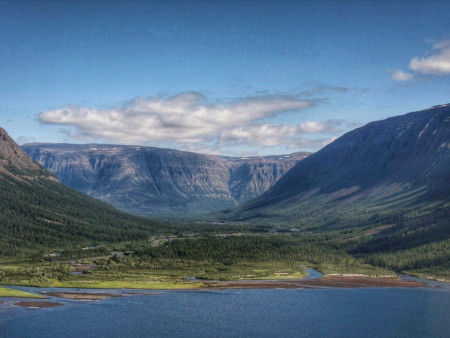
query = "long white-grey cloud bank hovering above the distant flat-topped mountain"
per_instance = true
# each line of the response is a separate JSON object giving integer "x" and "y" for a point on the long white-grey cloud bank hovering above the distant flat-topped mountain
{"x": 189, "y": 121}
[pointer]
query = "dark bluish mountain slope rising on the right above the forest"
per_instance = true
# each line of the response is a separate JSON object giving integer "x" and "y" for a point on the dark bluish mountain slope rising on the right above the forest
{"x": 388, "y": 169}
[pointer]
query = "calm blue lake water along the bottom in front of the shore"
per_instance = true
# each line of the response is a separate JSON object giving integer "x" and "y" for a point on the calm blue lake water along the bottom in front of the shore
{"x": 422, "y": 312}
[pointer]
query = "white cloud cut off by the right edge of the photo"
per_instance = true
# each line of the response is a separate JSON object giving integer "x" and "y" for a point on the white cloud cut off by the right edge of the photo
{"x": 437, "y": 63}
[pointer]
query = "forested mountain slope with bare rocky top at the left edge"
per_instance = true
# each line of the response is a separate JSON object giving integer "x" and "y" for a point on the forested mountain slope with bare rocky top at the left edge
{"x": 36, "y": 211}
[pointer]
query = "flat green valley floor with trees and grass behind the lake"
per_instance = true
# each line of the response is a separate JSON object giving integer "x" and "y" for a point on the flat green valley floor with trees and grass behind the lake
{"x": 214, "y": 260}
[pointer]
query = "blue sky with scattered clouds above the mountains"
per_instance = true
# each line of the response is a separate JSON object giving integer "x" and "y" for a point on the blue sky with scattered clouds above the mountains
{"x": 225, "y": 77}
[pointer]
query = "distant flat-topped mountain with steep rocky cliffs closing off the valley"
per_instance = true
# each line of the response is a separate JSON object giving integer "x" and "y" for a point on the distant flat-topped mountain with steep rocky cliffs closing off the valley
{"x": 146, "y": 180}
